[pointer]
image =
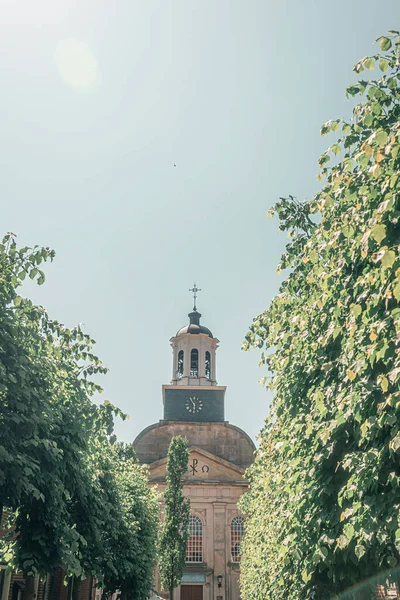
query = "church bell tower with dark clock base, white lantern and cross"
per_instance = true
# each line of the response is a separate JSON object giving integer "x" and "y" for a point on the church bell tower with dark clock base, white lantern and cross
{"x": 193, "y": 394}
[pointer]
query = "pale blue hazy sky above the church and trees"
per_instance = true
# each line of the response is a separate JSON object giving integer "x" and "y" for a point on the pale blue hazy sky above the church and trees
{"x": 232, "y": 91}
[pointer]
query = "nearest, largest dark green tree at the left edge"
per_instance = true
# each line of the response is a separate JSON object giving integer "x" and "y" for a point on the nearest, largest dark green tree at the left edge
{"x": 47, "y": 422}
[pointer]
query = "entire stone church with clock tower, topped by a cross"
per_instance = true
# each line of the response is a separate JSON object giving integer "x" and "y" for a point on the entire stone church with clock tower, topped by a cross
{"x": 194, "y": 407}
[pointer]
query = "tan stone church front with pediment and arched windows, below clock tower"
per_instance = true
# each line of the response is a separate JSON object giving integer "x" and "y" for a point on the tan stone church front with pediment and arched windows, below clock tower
{"x": 214, "y": 484}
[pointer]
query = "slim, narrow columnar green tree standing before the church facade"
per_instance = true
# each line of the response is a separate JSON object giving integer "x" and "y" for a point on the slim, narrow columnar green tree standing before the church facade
{"x": 174, "y": 532}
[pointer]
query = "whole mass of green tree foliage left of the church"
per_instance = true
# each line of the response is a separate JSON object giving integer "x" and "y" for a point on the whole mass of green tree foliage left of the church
{"x": 69, "y": 490}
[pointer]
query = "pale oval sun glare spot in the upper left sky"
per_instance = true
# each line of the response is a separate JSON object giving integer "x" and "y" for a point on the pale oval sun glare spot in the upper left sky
{"x": 76, "y": 64}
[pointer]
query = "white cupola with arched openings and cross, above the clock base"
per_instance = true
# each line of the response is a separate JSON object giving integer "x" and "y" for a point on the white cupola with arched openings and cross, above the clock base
{"x": 194, "y": 348}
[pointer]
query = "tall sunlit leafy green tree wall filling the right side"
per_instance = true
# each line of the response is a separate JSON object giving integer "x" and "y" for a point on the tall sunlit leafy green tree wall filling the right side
{"x": 323, "y": 508}
